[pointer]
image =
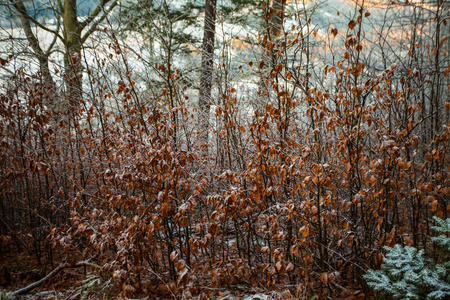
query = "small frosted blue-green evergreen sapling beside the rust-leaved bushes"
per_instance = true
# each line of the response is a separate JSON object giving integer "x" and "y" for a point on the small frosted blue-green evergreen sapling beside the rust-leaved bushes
{"x": 406, "y": 274}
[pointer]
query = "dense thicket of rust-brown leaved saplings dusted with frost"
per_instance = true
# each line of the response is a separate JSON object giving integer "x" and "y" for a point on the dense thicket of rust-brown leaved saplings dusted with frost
{"x": 276, "y": 201}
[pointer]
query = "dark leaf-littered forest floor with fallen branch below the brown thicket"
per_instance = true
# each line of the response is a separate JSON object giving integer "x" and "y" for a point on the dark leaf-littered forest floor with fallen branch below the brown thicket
{"x": 20, "y": 269}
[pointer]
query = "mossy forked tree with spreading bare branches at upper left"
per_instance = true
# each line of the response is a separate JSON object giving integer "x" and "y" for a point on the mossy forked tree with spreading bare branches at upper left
{"x": 70, "y": 31}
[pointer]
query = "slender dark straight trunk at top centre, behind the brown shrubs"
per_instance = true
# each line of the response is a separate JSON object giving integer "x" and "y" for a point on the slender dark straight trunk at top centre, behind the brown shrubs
{"x": 207, "y": 68}
